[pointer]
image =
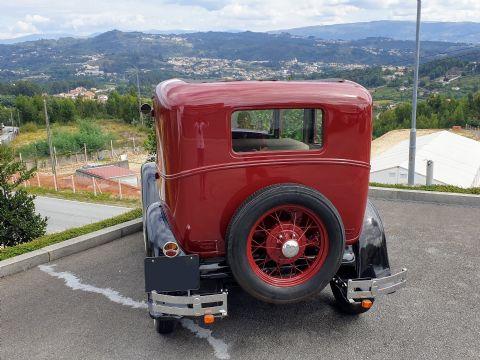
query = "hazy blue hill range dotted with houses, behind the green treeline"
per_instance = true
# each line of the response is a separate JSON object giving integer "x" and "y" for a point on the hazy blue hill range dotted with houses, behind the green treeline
{"x": 116, "y": 52}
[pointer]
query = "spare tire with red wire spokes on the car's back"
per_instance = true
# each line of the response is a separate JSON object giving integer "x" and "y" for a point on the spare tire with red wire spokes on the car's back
{"x": 285, "y": 243}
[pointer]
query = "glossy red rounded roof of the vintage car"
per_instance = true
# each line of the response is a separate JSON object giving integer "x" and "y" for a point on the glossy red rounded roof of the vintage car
{"x": 177, "y": 93}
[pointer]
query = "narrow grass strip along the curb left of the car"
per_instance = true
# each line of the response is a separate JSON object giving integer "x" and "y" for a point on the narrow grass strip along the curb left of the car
{"x": 46, "y": 240}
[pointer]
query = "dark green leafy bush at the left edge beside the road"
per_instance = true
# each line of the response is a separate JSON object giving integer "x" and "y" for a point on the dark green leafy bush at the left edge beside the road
{"x": 18, "y": 221}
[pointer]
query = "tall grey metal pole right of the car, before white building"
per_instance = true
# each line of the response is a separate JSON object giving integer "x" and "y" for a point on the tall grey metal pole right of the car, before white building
{"x": 413, "y": 130}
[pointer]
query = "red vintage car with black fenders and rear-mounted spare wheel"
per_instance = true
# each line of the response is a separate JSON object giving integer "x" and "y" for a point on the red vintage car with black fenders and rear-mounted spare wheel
{"x": 263, "y": 184}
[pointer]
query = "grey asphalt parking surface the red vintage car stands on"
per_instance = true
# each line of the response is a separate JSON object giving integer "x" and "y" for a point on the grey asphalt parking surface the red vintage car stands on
{"x": 72, "y": 310}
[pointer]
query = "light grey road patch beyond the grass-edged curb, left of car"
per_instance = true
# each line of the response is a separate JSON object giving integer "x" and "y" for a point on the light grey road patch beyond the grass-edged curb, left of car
{"x": 65, "y": 214}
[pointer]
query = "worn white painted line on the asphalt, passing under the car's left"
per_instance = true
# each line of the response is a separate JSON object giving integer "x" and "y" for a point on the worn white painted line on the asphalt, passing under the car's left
{"x": 220, "y": 348}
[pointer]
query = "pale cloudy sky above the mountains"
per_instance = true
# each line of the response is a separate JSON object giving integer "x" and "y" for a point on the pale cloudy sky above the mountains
{"x": 25, "y": 17}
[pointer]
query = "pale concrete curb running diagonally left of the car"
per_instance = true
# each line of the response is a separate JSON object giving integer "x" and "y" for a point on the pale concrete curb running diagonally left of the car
{"x": 68, "y": 247}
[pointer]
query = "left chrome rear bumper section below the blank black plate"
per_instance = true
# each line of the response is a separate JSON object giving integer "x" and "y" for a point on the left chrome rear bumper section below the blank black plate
{"x": 193, "y": 305}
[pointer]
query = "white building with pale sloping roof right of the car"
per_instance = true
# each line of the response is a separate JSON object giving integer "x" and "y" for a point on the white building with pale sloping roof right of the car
{"x": 456, "y": 161}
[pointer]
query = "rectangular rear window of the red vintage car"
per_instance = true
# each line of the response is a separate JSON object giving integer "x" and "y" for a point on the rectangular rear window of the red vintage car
{"x": 277, "y": 130}
